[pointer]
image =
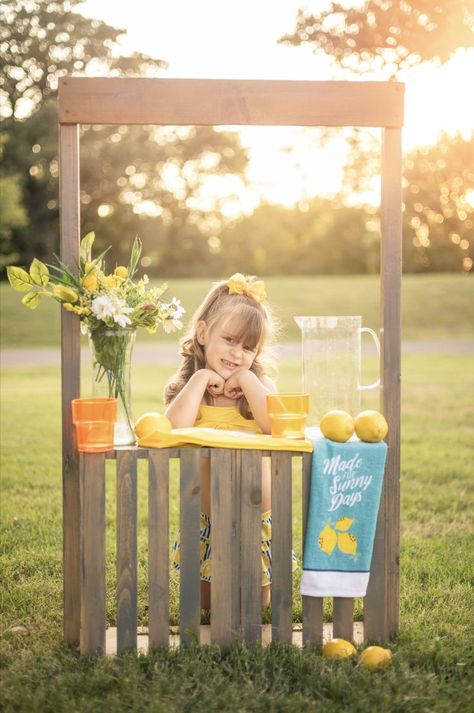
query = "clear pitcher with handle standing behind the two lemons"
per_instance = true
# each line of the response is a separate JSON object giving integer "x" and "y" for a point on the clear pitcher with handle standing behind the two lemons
{"x": 331, "y": 355}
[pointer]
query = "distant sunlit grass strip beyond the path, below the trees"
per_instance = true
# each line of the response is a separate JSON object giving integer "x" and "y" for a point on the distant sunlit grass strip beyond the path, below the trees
{"x": 437, "y": 306}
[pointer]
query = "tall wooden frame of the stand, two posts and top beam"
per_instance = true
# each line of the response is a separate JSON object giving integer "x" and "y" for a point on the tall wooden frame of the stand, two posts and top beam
{"x": 83, "y": 100}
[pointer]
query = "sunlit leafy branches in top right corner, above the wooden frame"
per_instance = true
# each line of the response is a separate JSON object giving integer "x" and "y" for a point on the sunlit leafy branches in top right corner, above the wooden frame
{"x": 387, "y": 35}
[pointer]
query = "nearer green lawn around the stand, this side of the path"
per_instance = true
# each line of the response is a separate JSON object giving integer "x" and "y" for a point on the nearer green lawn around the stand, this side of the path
{"x": 433, "y": 660}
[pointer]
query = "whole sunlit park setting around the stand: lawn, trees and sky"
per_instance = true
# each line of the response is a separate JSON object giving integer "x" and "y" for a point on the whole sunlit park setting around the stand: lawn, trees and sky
{"x": 299, "y": 207}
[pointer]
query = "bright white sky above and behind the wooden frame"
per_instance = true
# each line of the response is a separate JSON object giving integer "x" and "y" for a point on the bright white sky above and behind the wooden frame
{"x": 238, "y": 40}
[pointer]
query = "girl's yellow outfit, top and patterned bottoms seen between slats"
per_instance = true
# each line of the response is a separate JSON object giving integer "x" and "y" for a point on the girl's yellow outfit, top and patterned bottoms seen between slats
{"x": 228, "y": 418}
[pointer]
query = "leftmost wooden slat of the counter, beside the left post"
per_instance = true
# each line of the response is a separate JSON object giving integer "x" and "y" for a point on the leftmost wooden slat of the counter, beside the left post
{"x": 92, "y": 637}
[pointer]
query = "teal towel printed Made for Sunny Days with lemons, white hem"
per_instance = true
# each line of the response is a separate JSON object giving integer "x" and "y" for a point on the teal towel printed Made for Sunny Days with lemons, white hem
{"x": 346, "y": 483}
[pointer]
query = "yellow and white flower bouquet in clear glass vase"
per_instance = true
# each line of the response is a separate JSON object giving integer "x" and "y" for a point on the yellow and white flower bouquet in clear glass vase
{"x": 110, "y": 308}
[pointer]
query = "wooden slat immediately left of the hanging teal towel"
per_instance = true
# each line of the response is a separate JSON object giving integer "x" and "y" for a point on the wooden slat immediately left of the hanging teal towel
{"x": 282, "y": 600}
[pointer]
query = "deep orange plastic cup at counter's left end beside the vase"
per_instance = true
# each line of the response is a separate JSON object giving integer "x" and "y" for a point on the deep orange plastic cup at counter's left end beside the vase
{"x": 94, "y": 420}
